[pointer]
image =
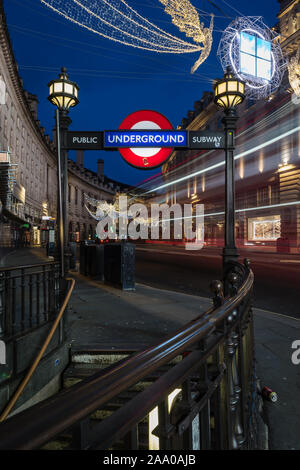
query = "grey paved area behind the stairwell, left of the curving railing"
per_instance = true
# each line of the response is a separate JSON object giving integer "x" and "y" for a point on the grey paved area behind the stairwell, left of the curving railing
{"x": 102, "y": 313}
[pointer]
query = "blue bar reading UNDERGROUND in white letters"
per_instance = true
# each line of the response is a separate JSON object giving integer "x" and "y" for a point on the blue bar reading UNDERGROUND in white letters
{"x": 141, "y": 138}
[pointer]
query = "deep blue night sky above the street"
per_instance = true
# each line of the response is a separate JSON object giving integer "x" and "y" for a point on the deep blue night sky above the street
{"x": 116, "y": 80}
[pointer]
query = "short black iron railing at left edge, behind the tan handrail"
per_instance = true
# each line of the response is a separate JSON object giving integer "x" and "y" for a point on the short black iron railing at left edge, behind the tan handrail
{"x": 29, "y": 297}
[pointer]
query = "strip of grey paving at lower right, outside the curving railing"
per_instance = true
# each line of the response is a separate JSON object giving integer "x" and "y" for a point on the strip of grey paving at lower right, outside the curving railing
{"x": 274, "y": 335}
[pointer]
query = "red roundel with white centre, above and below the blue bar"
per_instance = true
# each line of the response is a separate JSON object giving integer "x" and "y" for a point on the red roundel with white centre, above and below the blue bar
{"x": 146, "y": 158}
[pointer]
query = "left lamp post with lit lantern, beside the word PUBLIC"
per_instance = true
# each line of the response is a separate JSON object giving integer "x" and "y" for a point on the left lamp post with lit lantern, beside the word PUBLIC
{"x": 63, "y": 93}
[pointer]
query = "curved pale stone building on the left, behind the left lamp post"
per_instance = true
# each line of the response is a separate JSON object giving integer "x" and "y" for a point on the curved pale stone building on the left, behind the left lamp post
{"x": 28, "y": 170}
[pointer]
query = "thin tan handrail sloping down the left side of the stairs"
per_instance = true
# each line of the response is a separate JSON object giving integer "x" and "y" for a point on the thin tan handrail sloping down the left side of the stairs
{"x": 36, "y": 362}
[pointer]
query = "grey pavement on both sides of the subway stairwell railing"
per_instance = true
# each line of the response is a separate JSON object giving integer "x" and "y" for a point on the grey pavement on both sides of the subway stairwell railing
{"x": 102, "y": 314}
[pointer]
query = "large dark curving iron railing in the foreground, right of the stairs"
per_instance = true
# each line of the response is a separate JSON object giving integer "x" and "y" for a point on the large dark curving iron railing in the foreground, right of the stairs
{"x": 206, "y": 369}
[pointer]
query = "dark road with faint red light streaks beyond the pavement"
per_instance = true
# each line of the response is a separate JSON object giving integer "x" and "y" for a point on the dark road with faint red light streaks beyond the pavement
{"x": 277, "y": 276}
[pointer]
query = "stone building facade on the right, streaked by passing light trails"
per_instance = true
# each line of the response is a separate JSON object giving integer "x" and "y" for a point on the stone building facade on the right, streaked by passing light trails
{"x": 267, "y": 159}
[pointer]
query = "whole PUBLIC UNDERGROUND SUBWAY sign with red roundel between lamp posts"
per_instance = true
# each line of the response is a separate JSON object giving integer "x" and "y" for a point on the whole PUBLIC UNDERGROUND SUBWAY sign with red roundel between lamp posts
{"x": 145, "y": 139}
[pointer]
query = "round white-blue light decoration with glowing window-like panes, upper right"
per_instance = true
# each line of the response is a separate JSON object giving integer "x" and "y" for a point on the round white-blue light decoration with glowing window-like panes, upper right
{"x": 249, "y": 47}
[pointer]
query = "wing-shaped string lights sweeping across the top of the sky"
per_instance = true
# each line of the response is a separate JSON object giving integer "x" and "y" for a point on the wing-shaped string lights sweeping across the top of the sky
{"x": 117, "y": 21}
